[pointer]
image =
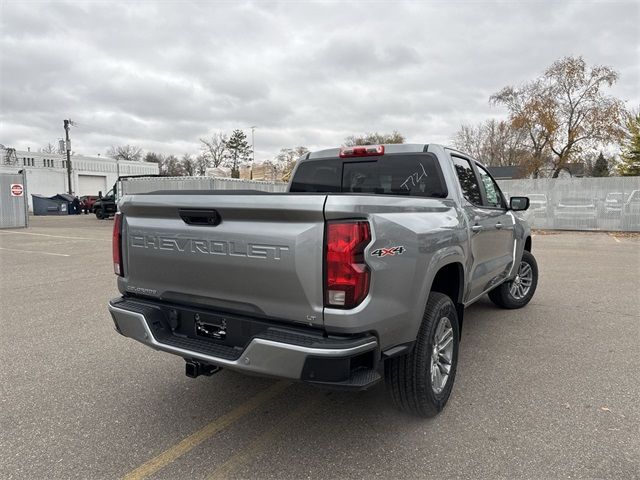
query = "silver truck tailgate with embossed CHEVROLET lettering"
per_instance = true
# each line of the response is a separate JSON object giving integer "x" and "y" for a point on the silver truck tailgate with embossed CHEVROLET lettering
{"x": 264, "y": 257}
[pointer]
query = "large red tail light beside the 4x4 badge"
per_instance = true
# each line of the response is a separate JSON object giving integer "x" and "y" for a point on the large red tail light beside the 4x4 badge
{"x": 347, "y": 274}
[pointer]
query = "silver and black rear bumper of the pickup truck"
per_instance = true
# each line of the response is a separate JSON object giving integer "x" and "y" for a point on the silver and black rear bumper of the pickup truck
{"x": 278, "y": 352}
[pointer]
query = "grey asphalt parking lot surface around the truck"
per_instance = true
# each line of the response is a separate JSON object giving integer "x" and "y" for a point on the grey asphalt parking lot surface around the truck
{"x": 549, "y": 391}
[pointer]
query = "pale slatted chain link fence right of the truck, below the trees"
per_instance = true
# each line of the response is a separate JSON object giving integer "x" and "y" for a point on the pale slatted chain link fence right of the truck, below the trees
{"x": 605, "y": 203}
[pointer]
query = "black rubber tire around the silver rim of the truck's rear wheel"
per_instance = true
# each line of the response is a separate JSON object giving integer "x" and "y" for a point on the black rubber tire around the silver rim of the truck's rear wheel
{"x": 408, "y": 377}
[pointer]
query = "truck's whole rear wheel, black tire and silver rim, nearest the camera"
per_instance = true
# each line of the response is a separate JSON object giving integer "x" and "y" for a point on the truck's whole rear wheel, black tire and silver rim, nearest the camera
{"x": 420, "y": 382}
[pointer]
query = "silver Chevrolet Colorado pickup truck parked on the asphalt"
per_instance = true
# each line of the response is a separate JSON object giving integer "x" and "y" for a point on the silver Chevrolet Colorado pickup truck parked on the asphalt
{"x": 370, "y": 258}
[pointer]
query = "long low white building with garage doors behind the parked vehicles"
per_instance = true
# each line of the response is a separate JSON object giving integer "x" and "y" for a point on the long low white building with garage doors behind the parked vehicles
{"x": 47, "y": 172}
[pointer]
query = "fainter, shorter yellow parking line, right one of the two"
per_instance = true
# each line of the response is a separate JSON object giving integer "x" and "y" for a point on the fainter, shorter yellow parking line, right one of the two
{"x": 264, "y": 441}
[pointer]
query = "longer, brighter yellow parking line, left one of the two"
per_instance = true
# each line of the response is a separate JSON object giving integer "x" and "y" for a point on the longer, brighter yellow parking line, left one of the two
{"x": 165, "y": 458}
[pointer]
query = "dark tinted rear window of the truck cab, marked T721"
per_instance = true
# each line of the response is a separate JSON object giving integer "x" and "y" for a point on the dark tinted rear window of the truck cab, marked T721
{"x": 399, "y": 174}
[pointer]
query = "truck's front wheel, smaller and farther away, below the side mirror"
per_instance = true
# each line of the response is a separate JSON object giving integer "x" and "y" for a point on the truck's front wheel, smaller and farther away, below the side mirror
{"x": 519, "y": 291}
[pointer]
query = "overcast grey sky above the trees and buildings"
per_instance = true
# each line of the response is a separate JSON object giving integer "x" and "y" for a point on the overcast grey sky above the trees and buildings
{"x": 160, "y": 75}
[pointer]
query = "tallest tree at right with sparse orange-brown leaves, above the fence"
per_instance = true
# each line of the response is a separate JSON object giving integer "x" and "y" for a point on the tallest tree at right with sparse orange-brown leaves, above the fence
{"x": 564, "y": 111}
